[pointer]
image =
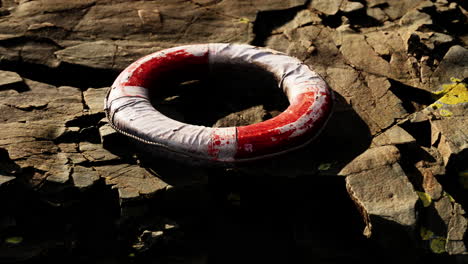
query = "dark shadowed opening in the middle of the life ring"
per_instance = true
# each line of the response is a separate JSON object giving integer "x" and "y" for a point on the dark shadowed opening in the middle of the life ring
{"x": 223, "y": 96}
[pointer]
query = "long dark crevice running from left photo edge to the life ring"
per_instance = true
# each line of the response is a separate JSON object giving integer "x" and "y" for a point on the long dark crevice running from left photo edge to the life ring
{"x": 63, "y": 75}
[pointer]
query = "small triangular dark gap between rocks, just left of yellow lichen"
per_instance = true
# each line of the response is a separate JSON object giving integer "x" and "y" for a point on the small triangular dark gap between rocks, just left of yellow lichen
{"x": 413, "y": 99}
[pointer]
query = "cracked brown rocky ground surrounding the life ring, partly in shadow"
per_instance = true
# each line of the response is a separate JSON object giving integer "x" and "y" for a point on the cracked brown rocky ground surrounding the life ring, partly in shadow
{"x": 385, "y": 182}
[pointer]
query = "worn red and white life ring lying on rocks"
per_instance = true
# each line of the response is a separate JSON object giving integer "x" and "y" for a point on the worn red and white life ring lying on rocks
{"x": 130, "y": 112}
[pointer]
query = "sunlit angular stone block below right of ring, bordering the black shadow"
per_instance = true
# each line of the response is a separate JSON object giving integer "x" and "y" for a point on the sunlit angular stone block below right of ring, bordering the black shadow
{"x": 380, "y": 187}
